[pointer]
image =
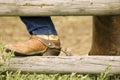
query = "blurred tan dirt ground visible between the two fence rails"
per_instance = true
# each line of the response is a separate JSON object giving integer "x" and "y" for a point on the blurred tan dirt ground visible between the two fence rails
{"x": 75, "y": 32}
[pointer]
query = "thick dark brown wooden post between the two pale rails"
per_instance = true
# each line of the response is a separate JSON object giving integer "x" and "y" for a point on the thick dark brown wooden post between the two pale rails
{"x": 106, "y": 35}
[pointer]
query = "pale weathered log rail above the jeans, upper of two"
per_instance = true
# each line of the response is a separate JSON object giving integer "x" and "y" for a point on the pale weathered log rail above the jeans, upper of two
{"x": 59, "y": 7}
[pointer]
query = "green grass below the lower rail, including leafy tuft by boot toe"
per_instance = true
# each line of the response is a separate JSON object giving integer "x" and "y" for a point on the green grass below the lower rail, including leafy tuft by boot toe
{"x": 5, "y": 75}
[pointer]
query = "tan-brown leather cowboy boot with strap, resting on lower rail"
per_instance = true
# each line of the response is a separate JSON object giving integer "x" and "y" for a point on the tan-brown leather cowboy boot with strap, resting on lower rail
{"x": 35, "y": 46}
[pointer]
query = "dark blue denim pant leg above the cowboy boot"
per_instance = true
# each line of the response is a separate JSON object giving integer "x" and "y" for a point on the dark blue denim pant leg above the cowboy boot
{"x": 39, "y": 25}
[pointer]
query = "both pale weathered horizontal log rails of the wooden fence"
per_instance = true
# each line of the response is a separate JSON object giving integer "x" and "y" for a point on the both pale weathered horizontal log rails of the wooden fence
{"x": 86, "y": 64}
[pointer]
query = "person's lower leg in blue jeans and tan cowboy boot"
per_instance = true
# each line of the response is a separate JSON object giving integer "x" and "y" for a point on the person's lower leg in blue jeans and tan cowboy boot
{"x": 44, "y": 40}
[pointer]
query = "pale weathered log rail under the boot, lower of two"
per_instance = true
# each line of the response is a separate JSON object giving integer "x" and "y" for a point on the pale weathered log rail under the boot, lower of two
{"x": 84, "y": 64}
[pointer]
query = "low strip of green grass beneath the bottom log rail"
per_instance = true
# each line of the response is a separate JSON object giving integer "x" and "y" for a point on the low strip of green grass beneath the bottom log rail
{"x": 73, "y": 76}
